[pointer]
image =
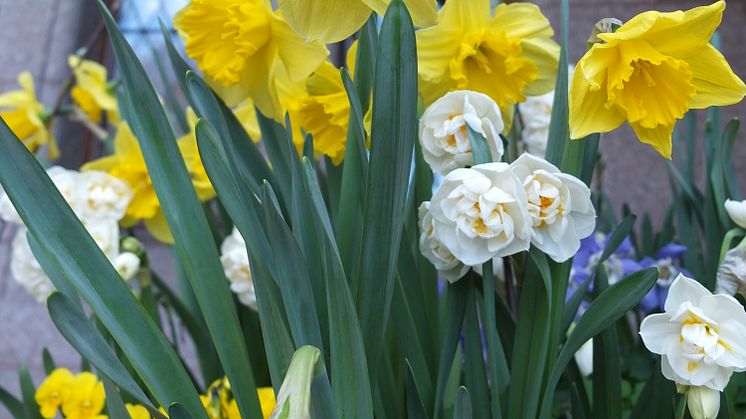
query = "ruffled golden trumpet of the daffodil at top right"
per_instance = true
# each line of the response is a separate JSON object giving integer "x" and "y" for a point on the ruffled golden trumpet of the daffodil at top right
{"x": 653, "y": 91}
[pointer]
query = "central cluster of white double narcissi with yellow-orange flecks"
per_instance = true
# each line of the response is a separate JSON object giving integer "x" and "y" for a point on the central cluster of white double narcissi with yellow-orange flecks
{"x": 497, "y": 209}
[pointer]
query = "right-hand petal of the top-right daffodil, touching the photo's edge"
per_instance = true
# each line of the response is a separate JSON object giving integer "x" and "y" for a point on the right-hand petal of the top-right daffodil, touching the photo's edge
{"x": 714, "y": 80}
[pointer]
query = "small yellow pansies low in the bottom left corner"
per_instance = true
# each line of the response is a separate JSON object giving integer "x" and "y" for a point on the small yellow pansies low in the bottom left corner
{"x": 79, "y": 396}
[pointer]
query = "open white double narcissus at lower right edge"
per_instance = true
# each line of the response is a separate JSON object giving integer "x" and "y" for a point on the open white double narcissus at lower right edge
{"x": 699, "y": 336}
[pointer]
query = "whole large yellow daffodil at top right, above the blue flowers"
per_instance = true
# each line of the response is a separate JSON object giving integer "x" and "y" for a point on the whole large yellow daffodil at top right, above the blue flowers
{"x": 649, "y": 73}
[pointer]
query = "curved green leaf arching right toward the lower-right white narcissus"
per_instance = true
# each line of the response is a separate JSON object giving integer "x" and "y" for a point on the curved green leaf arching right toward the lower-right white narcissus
{"x": 604, "y": 311}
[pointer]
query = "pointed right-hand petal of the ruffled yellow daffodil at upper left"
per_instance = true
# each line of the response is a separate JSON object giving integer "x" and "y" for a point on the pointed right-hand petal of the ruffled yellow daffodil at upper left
{"x": 301, "y": 58}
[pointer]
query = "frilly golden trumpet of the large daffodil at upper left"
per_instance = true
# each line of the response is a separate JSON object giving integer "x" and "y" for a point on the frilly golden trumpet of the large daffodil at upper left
{"x": 222, "y": 34}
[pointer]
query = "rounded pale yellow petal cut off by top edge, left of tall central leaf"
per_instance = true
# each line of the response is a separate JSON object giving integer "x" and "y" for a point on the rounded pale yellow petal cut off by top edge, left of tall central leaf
{"x": 327, "y": 20}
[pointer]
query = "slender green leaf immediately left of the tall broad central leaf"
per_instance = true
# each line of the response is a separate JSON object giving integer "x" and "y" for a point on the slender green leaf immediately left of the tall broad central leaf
{"x": 350, "y": 380}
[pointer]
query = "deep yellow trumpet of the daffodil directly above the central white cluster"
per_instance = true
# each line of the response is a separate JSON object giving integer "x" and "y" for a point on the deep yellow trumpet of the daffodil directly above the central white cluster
{"x": 491, "y": 63}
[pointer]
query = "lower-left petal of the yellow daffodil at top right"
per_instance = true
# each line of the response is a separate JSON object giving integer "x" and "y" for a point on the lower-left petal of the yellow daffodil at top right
{"x": 588, "y": 112}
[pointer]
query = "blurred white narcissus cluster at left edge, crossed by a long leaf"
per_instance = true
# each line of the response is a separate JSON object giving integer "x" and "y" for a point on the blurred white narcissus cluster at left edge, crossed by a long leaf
{"x": 100, "y": 202}
